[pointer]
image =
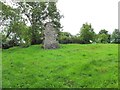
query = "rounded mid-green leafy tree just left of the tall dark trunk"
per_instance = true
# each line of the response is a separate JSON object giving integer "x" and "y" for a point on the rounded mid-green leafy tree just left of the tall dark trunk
{"x": 22, "y": 35}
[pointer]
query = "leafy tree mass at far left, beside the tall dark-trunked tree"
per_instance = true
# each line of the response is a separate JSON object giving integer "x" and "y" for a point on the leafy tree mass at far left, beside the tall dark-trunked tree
{"x": 15, "y": 30}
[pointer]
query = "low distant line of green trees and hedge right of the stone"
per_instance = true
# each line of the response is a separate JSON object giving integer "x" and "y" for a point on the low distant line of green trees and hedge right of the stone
{"x": 87, "y": 36}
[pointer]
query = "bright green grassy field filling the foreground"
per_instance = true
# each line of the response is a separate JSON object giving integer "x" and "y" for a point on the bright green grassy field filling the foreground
{"x": 73, "y": 65}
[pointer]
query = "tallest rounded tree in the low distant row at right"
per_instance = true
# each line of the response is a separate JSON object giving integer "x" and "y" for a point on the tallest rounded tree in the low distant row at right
{"x": 87, "y": 33}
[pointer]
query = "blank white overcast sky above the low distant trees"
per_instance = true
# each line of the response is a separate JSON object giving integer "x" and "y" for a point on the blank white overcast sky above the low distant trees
{"x": 102, "y": 14}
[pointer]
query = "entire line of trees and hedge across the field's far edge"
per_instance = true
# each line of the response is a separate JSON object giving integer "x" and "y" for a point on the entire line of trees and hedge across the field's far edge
{"x": 16, "y": 32}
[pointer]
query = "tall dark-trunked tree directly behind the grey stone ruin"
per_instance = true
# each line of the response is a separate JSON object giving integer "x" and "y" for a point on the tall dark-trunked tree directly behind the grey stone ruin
{"x": 38, "y": 14}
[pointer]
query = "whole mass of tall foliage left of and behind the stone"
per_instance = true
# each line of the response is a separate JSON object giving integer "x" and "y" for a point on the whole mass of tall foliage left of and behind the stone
{"x": 36, "y": 14}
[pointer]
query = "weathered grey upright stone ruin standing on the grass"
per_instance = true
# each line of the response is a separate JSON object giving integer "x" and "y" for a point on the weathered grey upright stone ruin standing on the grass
{"x": 50, "y": 36}
